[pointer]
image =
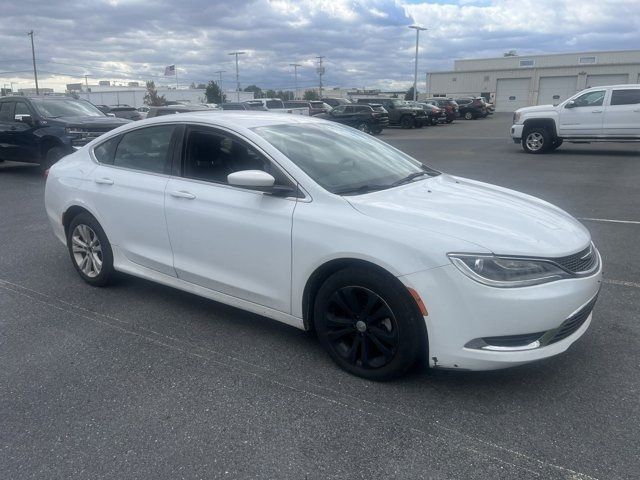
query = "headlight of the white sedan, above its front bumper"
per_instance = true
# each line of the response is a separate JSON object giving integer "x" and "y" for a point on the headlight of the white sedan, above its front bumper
{"x": 507, "y": 272}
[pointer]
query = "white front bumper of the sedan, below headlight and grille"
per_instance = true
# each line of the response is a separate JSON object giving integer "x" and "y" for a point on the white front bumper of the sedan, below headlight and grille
{"x": 461, "y": 311}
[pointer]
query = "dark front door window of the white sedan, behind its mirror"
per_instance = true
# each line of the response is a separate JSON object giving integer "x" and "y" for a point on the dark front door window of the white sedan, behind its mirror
{"x": 211, "y": 155}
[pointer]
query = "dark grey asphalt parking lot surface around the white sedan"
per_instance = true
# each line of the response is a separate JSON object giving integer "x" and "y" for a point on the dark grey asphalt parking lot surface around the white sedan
{"x": 142, "y": 381}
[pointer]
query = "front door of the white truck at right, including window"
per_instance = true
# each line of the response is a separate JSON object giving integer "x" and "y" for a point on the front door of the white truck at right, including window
{"x": 583, "y": 116}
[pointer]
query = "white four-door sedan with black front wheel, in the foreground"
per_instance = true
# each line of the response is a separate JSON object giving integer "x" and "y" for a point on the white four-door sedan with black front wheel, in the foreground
{"x": 323, "y": 227}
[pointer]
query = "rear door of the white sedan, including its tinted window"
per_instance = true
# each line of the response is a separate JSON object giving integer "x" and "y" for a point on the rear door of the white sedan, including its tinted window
{"x": 127, "y": 191}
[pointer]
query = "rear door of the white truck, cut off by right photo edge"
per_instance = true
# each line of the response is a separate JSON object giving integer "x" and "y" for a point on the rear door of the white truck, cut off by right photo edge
{"x": 622, "y": 113}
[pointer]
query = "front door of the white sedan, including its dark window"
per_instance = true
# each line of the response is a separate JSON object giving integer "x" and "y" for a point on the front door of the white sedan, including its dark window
{"x": 236, "y": 241}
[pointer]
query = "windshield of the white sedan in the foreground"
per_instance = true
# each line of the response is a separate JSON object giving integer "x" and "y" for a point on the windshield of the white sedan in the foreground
{"x": 341, "y": 159}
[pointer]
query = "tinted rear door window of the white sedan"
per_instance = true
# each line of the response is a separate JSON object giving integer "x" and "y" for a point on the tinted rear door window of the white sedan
{"x": 146, "y": 149}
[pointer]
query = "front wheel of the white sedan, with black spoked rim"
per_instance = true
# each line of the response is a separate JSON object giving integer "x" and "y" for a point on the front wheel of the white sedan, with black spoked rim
{"x": 369, "y": 324}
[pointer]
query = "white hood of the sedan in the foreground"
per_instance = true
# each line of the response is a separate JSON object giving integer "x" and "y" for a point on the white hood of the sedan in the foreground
{"x": 502, "y": 221}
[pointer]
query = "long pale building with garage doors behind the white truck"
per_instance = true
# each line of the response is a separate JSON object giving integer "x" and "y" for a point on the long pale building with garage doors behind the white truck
{"x": 519, "y": 81}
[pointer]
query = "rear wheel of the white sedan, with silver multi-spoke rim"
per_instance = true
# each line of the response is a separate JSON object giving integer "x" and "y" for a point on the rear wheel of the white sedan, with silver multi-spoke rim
{"x": 105, "y": 273}
